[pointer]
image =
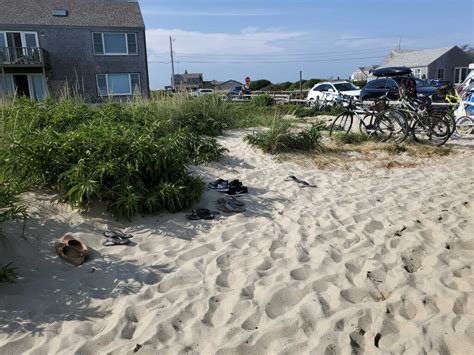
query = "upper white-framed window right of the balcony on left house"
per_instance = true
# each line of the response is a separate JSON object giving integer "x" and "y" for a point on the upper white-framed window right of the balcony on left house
{"x": 114, "y": 43}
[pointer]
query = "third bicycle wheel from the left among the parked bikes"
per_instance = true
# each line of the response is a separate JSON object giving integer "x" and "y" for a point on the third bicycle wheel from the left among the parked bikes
{"x": 392, "y": 126}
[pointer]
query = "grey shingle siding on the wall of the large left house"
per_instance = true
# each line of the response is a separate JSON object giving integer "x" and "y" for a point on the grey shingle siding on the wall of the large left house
{"x": 73, "y": 61}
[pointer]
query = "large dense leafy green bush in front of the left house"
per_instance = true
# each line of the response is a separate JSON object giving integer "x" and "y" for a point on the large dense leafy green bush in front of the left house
{"x": 135, "y": 156}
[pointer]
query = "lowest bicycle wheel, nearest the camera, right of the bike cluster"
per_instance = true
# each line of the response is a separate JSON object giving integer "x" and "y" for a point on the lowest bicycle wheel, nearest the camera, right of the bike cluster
{"x": 432, "y": 131}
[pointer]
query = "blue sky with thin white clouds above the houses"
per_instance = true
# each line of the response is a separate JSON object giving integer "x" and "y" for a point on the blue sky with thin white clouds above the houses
{"x": 276, "y": 39}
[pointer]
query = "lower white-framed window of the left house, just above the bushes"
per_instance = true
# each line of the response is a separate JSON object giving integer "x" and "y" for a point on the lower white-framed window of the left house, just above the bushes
{"x": 118, "y": 84}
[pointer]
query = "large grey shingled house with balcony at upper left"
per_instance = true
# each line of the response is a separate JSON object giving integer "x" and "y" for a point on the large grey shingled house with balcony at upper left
{"x": 96, "y": 47}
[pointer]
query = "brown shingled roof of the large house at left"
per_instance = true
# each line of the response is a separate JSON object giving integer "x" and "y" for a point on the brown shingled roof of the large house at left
{"x": 94, "y": 13}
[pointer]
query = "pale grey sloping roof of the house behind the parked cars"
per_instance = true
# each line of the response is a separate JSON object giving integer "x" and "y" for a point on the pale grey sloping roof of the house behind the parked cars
{"x": 419, "y": 58}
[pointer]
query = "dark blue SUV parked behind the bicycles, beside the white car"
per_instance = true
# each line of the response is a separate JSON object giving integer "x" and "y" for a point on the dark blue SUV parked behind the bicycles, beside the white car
{"x": 378, "y": 87}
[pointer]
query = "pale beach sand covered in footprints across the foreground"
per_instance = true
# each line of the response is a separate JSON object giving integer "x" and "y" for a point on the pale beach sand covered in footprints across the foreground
{"x": 372, "y": 260}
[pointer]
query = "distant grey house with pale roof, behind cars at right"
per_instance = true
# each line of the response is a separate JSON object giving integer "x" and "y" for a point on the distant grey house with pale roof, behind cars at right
{"x": 451, "y": 63}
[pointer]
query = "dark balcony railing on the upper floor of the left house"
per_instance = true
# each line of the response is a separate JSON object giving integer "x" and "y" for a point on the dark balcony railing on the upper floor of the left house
{"x": 23, "y": 56}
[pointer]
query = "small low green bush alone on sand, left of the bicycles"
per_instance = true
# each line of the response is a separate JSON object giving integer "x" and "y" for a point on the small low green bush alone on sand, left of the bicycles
{"x": 280, "y": 138}
